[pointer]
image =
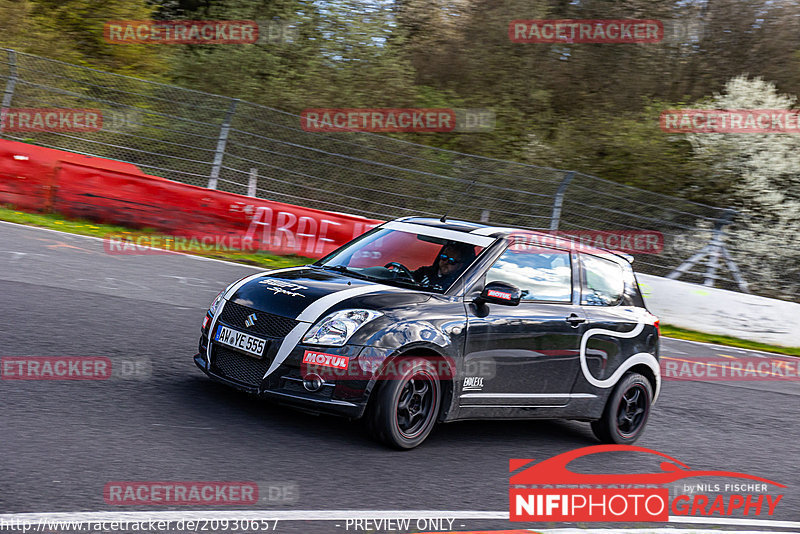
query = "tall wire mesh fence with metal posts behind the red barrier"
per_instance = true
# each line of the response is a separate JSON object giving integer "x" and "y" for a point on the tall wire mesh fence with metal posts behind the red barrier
{"x": 220, "y": 142}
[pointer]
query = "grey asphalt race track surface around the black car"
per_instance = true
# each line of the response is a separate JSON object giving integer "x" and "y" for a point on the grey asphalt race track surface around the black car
{"x": 62, "y": 441}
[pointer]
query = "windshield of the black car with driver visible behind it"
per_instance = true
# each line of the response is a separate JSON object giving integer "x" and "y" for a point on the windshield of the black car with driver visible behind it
{"x": 405, "y": 259}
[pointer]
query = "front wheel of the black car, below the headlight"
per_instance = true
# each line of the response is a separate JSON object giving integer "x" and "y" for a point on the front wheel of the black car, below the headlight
{"x": 404, "y": 409}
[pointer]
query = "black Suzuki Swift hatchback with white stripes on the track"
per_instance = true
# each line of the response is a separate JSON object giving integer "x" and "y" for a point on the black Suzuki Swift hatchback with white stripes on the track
{"x": 420, "y": 321}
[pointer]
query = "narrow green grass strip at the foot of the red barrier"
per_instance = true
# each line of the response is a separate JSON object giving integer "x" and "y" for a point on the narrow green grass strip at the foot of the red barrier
{"x": 59, "y": 222}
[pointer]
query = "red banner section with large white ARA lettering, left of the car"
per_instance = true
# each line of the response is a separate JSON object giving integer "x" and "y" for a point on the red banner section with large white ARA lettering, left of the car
{"x": 198, "y": 219}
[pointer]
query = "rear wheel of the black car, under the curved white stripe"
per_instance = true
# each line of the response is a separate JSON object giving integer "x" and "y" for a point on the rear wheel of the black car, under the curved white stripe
{"x": 626, "y": 411}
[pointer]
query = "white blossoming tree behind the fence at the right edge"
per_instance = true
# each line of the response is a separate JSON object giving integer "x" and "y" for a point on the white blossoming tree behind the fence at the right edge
{"x": 763, "y": 170}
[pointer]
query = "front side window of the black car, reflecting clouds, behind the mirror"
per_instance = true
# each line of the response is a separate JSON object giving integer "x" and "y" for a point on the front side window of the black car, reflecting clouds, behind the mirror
{"x": 541, "y": 273}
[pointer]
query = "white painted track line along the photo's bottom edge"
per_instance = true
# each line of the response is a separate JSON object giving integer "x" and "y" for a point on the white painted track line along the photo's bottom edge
{"x": 332, "y": 515}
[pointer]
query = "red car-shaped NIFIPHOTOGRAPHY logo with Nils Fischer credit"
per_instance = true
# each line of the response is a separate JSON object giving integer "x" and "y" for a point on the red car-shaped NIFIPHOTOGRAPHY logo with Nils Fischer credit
{"x": 549, "y": 491}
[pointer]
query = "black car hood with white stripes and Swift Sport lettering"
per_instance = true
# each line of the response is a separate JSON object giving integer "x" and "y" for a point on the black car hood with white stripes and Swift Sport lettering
{"x": 305, "y": 293}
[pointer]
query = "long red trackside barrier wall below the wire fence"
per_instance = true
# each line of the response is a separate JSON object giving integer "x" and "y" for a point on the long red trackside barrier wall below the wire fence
{"x": 108, "y": 191}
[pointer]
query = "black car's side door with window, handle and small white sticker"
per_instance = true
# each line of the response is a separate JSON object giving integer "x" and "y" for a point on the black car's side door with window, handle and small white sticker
{"x": 524, "y": 355}
